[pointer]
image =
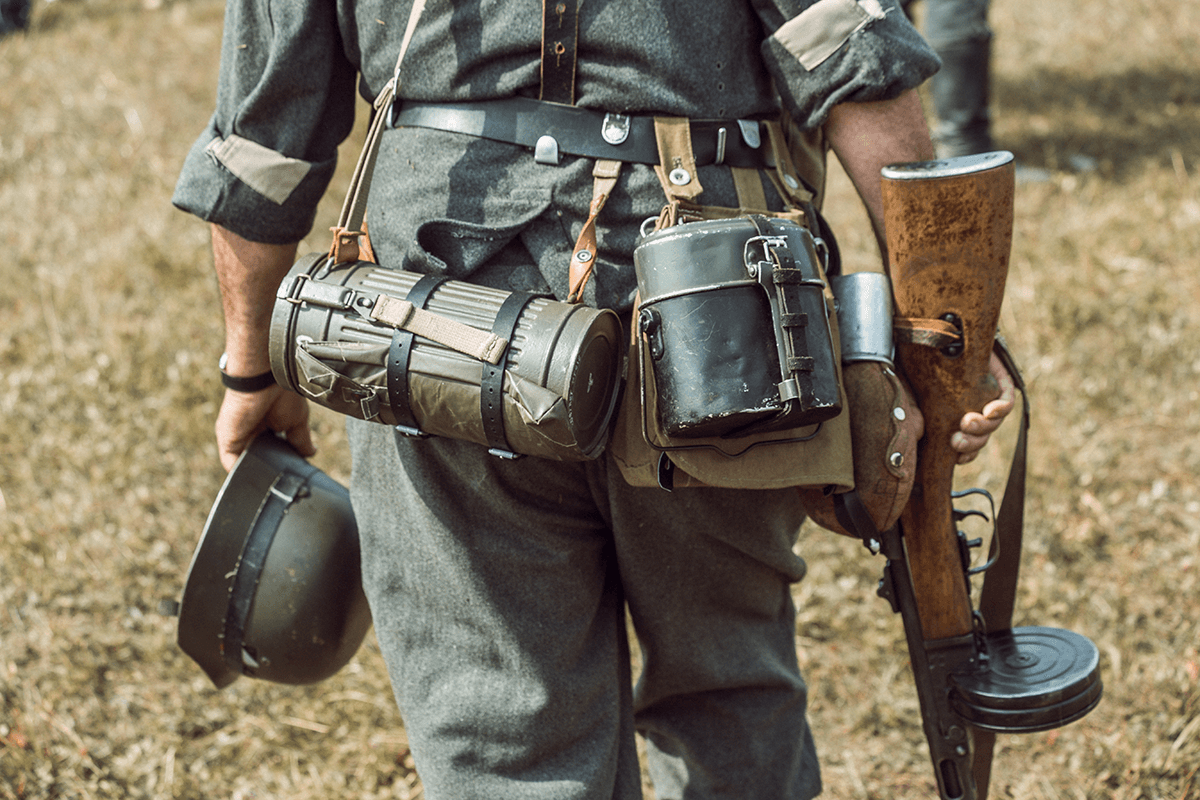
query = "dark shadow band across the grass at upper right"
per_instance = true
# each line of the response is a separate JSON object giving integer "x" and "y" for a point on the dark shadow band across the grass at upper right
{"x": 1119, "y": 123}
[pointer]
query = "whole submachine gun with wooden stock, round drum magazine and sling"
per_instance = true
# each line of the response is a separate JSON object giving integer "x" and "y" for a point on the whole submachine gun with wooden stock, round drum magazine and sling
{"x": 949, "y": 233}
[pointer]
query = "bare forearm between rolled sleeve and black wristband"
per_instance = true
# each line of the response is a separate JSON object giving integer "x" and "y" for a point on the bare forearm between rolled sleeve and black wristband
{"x": 249, "y": 274}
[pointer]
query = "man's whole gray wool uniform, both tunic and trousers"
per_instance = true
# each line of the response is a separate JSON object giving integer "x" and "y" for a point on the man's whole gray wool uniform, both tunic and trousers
{"x": 500, "y": 588}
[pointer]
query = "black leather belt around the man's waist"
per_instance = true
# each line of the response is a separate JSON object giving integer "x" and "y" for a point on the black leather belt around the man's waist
{"x": 553, "y": 130}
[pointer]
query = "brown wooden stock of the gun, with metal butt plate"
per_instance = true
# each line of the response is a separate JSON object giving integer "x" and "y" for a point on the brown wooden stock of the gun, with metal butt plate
{"x": 950, "y": 230}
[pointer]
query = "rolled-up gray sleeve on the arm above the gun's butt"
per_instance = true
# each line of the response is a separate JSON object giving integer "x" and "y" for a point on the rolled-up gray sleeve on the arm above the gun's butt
{"x": 827, "y": 52}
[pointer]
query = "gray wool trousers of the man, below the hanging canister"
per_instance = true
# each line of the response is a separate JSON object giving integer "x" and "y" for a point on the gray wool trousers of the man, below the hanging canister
{"x": 500, "y": 593}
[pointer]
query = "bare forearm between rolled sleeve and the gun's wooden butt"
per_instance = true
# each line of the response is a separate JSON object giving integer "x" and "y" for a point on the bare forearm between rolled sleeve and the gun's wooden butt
{"x": 867, "y": 137}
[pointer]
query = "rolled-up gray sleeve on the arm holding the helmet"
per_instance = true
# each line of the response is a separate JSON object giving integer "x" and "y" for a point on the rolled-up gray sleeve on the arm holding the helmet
{"x": 285, "y": 103}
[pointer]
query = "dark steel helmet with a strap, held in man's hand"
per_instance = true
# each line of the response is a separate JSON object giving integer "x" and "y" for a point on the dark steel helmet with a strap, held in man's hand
{"x": 274, "y": 591}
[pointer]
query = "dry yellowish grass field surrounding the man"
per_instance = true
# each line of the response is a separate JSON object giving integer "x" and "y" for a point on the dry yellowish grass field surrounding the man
{"x": 110, "y": 330}
